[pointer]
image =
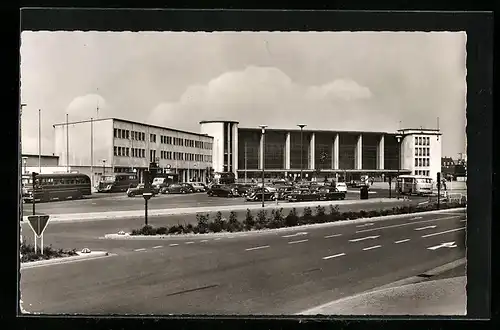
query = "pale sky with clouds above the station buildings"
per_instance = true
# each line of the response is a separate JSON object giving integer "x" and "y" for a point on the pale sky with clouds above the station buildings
{"x": 373, "y": 81}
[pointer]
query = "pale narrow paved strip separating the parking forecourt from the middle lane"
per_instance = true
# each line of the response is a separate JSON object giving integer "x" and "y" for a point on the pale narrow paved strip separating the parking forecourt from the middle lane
{"x": 204, "y": 209}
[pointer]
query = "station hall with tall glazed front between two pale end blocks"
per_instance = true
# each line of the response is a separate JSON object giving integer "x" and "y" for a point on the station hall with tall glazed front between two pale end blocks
{"x": 325, "y": 153}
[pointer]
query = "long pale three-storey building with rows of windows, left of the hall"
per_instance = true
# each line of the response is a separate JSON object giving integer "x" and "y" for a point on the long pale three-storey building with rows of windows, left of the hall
{"x": 112, "y": 145}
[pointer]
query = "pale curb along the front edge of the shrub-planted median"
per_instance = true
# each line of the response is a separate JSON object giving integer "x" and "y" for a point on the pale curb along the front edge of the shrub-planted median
{"x": 127, "y": 236}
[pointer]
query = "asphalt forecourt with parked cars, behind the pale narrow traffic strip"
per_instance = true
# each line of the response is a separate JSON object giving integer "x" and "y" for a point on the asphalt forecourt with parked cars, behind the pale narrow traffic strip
{"x": 120, "y": 202}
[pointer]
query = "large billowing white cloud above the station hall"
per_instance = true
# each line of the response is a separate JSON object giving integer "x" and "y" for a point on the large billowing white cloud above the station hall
{"x": 256, "y": 95}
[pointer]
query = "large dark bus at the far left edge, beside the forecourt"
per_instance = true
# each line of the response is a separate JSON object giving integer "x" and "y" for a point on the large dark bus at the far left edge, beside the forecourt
{"x": 57, "y": 186}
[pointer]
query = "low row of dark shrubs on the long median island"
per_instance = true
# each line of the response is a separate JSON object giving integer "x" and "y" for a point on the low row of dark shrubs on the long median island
{"x": 277, "y": 219}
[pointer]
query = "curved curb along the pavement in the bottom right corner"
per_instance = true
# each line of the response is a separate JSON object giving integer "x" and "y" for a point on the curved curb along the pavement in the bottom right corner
{"x": 407, "y": 281}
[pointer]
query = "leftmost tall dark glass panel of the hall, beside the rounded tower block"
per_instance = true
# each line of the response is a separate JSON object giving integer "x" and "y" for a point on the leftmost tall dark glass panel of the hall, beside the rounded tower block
{"x": 248, "y": 149}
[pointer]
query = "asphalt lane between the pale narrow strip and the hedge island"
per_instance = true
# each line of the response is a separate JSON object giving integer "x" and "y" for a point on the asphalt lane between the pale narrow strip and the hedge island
{"x": 70, "y": 235}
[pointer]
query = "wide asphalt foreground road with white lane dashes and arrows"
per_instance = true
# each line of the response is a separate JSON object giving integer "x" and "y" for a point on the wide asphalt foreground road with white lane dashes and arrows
{"x": 261, "y": 273}
